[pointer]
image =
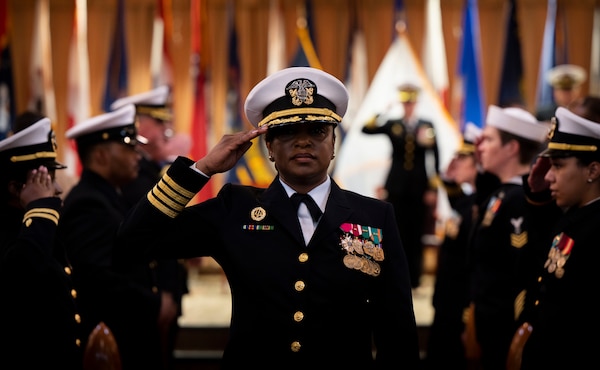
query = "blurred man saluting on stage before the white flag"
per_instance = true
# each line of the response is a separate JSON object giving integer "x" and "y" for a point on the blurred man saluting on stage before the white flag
{"x": 413, "y": 178}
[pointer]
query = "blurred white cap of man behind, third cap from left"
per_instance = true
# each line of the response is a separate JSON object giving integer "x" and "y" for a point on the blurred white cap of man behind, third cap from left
{"x": 154, "y": 103}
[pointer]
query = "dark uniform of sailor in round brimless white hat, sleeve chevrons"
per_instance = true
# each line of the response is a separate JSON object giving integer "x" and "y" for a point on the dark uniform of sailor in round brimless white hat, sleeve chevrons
{"x": 500, "y": 237}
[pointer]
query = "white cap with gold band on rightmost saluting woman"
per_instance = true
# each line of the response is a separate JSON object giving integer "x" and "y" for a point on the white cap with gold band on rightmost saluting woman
{"x": 572, "y": 135}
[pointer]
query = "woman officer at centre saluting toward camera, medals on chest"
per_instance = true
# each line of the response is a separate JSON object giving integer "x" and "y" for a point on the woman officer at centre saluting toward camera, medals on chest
{"x": 304, "y": 281}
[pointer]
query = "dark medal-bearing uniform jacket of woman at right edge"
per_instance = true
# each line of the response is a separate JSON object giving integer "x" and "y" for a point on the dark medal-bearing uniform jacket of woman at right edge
{"x": 559, "y": 304}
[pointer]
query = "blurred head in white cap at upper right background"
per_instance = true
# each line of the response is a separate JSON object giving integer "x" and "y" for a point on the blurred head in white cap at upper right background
{"x": 566, "y": 81}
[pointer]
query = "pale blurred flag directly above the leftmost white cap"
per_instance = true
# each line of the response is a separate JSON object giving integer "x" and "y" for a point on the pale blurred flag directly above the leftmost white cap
{"x": 41, "y": 98}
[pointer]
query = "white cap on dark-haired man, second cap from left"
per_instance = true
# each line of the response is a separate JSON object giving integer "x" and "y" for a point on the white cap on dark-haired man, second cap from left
{"x": 119, "y": 125}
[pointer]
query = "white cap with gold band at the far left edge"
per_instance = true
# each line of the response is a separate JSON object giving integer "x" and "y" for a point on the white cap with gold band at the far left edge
{"x": 30, "y": 148}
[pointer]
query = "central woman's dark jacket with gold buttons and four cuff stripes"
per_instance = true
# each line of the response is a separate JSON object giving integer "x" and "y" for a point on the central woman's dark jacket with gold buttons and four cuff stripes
{"x": 293, "y": 305}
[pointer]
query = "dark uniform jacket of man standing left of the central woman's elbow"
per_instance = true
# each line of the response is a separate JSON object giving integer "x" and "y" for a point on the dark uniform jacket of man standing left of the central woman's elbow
{"x": 93, "y": 210}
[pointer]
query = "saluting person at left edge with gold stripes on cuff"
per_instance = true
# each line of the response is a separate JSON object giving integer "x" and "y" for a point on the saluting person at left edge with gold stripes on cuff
{"x": 38, "y": 292}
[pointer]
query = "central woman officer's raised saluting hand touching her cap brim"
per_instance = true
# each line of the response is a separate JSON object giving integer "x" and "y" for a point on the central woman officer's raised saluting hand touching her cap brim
{"x": 228, "y": 151}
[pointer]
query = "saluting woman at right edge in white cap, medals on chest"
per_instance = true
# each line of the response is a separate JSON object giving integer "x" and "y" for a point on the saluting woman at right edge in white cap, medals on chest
{"x": 564, "y": 186}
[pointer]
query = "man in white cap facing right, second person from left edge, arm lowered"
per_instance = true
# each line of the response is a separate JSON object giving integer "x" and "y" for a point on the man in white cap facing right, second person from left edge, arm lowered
{"x": 134, "y": 308}
